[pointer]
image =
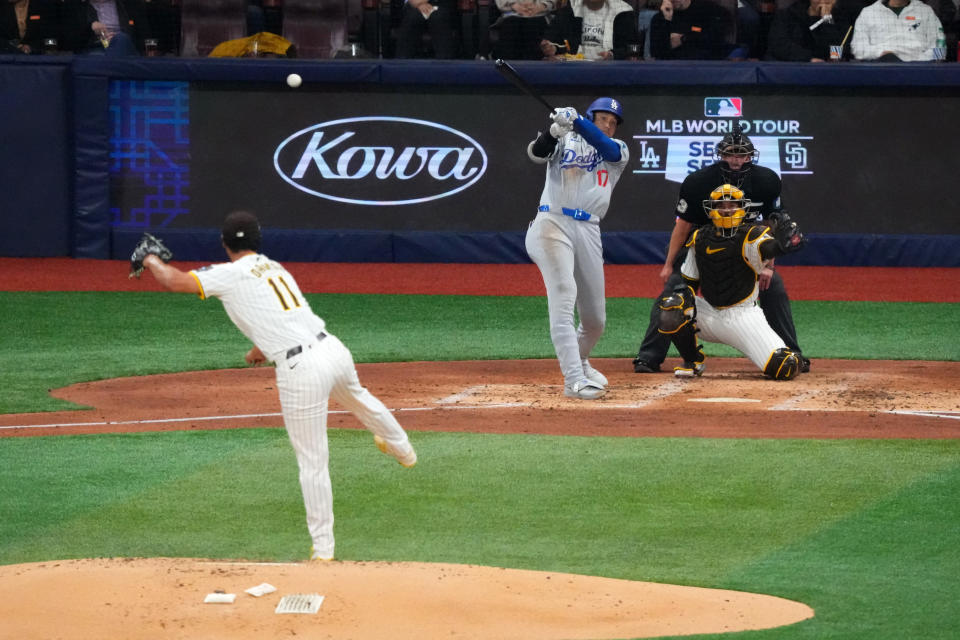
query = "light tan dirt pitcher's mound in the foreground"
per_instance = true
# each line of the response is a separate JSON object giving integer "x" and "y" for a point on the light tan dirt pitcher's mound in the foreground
{"x": 164, "y": 598}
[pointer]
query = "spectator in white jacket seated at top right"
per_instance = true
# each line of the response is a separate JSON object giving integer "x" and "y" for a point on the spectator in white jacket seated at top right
{"x": 896, "y": 31}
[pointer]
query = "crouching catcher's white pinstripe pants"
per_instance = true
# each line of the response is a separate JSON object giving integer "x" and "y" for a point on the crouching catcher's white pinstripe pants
{"x": 742, "y": 327}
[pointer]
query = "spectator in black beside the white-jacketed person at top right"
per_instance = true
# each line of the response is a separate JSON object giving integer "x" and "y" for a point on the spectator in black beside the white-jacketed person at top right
{"x": 804, "y": 31}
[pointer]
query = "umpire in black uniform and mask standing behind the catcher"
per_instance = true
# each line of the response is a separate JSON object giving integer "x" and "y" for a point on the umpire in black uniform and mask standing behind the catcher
{"x": 736, "y": 164}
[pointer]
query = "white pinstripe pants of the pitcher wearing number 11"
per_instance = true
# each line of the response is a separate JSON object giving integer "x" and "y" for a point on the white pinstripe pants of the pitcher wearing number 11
{"x": 305, "y": 382}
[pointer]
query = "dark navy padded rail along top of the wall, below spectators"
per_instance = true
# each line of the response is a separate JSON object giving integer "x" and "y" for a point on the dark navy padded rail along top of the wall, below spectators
{"x": 482, "y": 72}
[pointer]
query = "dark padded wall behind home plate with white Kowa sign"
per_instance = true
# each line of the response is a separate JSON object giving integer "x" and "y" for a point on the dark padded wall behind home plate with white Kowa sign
{"x": 424, "y": 161}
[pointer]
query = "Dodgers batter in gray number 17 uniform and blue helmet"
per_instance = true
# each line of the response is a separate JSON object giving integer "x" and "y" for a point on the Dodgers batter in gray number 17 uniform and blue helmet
{"x": 584, "y": 163}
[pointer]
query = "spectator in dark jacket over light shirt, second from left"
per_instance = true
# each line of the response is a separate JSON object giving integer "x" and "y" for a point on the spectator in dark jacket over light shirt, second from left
{"x": 109, "y": 27}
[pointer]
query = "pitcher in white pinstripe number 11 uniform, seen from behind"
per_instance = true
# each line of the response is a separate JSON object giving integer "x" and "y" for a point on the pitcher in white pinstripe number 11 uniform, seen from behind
{"x": 312, "y": 365}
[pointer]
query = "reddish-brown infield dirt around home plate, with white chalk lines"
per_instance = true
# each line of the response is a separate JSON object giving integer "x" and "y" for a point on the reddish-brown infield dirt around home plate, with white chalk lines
{"x": 838, "y": 399}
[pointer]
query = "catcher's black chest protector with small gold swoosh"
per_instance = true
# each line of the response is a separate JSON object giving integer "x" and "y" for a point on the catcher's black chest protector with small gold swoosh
{"x": 726, "y": 278}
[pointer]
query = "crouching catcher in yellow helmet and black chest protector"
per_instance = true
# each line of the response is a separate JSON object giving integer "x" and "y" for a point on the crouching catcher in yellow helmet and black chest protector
{"x": 724, "y": 261}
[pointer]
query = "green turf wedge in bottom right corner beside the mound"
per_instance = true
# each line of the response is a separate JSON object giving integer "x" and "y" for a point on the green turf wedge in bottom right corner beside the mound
{"x": 887, "y": 570}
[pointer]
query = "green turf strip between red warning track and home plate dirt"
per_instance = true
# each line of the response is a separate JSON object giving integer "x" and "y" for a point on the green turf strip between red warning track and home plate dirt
{"x": 51, "y": 340}
